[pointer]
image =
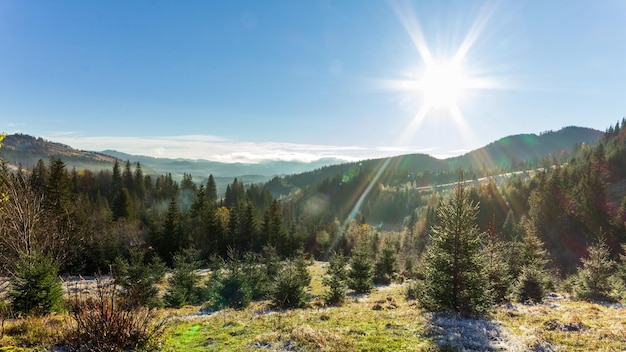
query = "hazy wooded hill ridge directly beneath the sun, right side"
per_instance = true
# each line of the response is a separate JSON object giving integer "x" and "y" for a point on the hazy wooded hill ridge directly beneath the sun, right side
{"x": 518, "y": 152}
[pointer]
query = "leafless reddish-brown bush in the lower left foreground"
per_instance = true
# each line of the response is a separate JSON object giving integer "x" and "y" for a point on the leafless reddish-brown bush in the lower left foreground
{"x": 103, "y": 322}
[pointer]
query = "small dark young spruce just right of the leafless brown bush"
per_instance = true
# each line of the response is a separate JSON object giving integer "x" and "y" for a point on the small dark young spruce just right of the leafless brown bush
{"x": 182, "y": 284}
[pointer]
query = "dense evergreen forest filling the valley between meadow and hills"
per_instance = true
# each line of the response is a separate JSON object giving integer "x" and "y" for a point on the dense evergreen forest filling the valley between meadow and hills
{"x": 376, "y": 222}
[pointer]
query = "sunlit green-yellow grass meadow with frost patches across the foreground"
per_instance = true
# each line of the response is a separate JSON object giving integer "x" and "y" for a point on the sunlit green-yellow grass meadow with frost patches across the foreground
{"x": 381, "y": 321}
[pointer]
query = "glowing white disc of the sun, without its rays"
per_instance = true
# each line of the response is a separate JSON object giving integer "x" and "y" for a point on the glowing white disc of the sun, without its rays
{"x": 442, "y": 84}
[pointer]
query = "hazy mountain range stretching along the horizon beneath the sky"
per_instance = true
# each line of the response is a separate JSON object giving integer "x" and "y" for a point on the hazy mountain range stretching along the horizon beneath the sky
{"x": 27, "y": 150}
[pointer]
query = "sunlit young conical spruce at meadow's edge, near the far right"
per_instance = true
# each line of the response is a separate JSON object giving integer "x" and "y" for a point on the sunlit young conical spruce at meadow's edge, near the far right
{"x": 593, "y": 279}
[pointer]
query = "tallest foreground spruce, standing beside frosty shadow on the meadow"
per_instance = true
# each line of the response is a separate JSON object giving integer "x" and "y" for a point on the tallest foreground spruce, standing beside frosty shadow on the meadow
{"x": 454, "y": 270}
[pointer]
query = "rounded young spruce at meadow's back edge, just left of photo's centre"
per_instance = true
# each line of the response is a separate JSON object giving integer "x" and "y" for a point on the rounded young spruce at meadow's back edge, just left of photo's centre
{"x": 289, "y": 289}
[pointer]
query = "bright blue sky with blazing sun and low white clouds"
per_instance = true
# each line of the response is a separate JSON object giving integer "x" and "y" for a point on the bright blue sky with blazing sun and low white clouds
{"x": 248, "y": 80}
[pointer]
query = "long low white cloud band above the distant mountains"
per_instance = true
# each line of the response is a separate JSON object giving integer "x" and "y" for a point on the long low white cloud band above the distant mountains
{"x": 220, "y": 149}
